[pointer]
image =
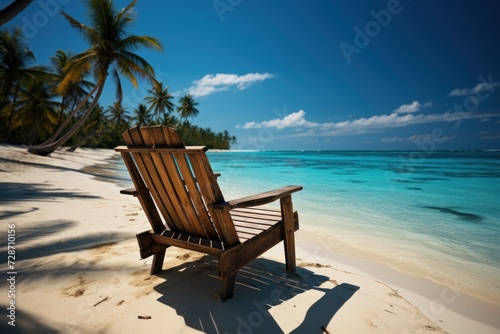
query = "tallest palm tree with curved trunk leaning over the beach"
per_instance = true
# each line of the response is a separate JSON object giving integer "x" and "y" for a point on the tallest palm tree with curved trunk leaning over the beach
{"x": 110, "y": 52}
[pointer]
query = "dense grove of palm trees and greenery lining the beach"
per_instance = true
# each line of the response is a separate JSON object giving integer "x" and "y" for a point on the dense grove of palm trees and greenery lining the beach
{"x": 45, "y": 107}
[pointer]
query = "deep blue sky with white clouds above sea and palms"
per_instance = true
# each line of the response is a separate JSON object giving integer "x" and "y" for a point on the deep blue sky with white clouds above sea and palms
{"x": 311, "y": 75}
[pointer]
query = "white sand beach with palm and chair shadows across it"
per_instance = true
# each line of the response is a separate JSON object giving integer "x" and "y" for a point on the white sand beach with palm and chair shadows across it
{"x": 77, "y": 270}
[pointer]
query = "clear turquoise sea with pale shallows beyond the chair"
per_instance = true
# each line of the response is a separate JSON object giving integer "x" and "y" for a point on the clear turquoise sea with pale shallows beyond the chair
{"x": 435, "y": 213}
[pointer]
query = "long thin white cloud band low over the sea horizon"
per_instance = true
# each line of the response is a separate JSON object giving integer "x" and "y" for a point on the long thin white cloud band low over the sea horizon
{"x": 371, "y": 124}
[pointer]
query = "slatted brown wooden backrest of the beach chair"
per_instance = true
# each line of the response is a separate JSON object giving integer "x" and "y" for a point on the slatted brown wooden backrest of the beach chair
{"x": 180, "y": 181}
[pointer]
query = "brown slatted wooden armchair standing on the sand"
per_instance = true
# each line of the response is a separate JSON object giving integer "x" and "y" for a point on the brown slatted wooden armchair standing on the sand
{"x": 183, "y": 202}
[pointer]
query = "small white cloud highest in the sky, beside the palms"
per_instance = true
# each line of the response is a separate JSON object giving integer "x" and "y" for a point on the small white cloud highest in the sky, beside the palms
{"x": 212, "y": 83}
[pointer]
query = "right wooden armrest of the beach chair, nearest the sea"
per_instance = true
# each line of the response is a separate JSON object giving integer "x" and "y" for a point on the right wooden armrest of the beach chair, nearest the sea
{"x": 256, "y": 200}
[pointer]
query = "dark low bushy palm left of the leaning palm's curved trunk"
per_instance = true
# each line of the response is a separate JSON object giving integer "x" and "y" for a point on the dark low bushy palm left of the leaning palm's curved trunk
{"x": 36, "y": 109}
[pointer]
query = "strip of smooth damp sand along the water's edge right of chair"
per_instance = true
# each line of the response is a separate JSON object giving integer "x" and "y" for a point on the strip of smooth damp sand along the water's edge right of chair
{"x": 442, "y": 303}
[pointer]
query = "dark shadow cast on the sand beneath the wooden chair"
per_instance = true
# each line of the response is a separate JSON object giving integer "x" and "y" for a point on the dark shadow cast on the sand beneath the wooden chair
{"x": 192, "y": 289}
